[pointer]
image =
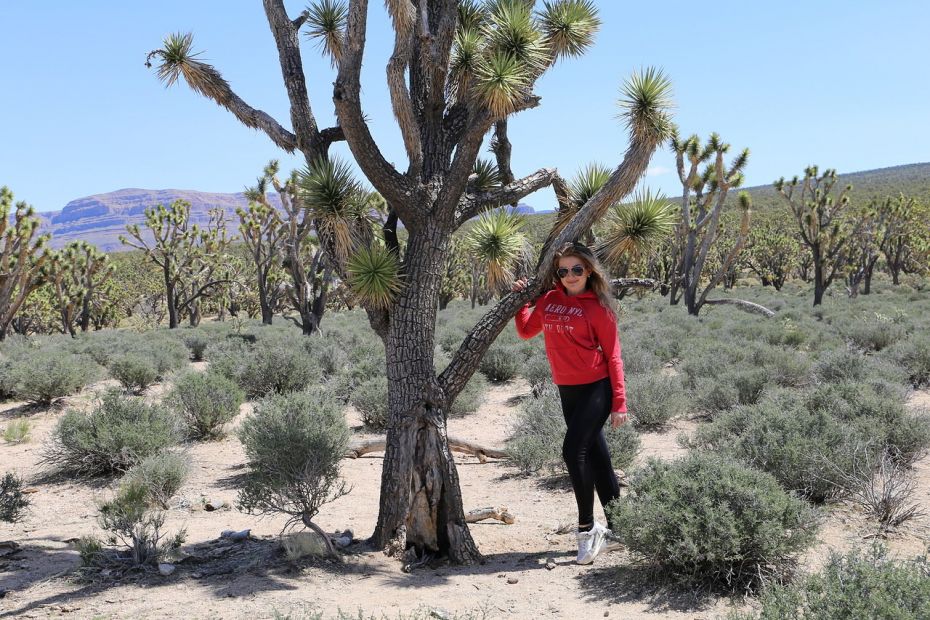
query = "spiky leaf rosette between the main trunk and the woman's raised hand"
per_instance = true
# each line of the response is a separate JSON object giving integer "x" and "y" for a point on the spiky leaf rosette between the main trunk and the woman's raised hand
{"x": 498, "y": 242}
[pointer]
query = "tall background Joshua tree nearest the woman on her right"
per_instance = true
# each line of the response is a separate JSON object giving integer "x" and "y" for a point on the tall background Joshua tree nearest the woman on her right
{"x": 703, "y": 195}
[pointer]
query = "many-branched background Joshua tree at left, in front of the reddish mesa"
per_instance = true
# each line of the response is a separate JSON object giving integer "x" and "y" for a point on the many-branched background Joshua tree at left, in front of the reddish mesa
{"x": 189, "y": 257}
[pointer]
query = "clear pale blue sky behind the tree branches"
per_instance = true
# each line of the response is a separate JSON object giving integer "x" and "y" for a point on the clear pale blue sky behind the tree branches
{"x": 840, "y": 84}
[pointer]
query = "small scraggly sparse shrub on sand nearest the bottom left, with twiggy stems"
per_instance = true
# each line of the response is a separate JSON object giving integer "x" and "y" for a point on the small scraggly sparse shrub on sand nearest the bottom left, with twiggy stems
{"x": 137, "y": 536}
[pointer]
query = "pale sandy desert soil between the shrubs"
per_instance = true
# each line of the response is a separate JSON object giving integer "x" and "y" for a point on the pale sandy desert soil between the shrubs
{"x": 253, "y": 579}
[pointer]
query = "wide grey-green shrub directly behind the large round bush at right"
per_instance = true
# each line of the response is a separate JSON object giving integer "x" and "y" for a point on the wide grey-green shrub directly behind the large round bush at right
{"x": 804, "y": 450}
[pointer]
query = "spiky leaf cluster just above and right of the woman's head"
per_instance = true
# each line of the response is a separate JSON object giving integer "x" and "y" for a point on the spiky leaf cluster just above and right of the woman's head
{"x": 631, "y": 229}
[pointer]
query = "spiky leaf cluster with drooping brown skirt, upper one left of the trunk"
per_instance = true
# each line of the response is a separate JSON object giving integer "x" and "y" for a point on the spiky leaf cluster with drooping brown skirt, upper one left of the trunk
{"x": 335, "y": 200}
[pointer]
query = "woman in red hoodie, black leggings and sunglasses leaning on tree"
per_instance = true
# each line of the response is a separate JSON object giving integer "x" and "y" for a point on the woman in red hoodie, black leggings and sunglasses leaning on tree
{"x": 580, "y": 328}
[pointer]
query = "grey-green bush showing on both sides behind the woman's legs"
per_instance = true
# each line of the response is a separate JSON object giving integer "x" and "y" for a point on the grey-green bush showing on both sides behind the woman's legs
{"x": 536, "y": 443}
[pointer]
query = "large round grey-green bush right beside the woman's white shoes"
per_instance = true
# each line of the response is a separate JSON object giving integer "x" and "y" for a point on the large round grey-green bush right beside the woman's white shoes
{"x": 710, "y": 520}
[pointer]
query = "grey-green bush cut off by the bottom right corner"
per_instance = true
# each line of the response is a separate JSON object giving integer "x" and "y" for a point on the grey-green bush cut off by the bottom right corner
{"x": 859, "y": 584}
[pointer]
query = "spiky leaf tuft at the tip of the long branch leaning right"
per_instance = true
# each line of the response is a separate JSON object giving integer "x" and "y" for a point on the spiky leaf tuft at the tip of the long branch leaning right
{"x": 646, "y": 101}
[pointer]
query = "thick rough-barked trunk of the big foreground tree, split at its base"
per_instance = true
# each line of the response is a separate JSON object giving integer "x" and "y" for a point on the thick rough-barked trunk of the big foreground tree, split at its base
{"x": 420, "y": 494}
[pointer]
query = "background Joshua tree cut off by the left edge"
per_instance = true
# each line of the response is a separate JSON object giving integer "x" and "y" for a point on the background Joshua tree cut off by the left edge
{"x": 21, "y": 256}
